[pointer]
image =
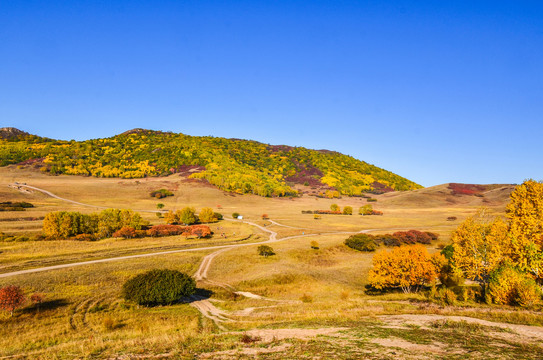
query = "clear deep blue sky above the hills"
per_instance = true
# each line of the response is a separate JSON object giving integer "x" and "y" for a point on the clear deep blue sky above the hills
{"x": 436, "y": 91}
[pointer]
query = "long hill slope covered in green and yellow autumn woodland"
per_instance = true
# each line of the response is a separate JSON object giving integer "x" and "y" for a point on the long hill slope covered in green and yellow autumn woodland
{"x": 241, "y": 166}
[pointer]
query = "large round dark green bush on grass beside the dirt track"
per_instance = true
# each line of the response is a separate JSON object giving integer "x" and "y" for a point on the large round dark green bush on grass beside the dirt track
{"x": 158, "y": 287}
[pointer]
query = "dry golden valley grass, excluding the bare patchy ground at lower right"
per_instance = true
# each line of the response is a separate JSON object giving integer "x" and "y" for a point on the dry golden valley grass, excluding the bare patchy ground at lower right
{"x": 84, "y": 316}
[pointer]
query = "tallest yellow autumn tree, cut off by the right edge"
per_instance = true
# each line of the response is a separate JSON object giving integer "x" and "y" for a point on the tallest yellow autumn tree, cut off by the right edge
{"x": 525, "y": 213}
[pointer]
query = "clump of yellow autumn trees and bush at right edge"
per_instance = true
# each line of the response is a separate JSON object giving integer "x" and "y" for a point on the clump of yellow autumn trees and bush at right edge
{"x": 505, "y": 257}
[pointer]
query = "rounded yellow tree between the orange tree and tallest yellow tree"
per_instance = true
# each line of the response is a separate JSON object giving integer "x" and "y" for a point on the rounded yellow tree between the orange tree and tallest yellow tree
{"x": 480, "y": 245}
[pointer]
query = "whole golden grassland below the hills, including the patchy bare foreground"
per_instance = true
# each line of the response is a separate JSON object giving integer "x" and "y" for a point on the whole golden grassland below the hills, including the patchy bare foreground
{"x": 312, "y": 305}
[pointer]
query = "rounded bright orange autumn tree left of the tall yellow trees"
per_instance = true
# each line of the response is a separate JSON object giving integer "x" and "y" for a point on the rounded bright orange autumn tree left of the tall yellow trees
{"x": 406, "y": 267}
